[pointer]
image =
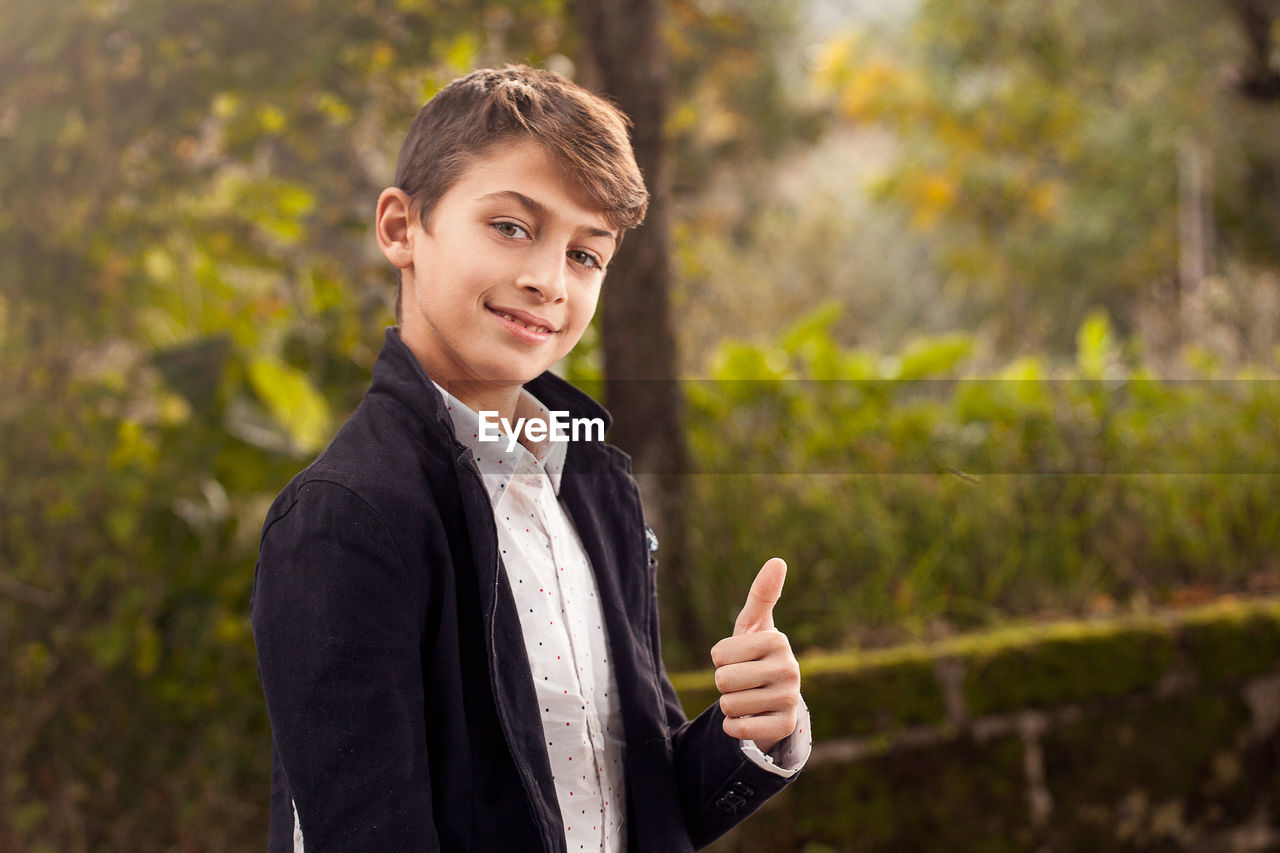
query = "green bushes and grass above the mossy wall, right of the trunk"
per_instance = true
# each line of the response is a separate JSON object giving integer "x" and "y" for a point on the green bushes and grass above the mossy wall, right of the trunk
{"x": 911, "y": 499}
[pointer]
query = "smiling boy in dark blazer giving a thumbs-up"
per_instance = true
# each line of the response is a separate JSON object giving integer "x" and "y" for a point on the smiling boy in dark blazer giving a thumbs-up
{"x": 458, "y": 638}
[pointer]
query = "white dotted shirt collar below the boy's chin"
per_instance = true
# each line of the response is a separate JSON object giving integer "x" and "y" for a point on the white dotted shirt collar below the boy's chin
{"x": 497, "y": 464}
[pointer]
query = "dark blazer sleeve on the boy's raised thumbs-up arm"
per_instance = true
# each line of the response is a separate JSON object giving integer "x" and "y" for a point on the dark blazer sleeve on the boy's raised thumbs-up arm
{"x": 720, "y": 786}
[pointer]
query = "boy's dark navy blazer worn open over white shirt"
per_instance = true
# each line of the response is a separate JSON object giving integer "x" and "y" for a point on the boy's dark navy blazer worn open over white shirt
{"x": 394, "y": 665}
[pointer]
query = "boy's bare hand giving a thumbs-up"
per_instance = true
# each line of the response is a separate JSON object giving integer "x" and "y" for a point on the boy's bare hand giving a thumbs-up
{"x": 756, "y": 672}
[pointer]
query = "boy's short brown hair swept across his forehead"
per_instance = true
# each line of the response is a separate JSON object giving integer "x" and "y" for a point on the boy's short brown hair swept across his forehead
{"x": 583, "y": 133}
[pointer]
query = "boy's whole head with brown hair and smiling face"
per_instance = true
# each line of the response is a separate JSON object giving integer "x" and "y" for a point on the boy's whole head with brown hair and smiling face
{"x": 513, "y": 193}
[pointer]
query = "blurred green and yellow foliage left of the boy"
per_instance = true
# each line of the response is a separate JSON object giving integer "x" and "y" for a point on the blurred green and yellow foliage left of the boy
{"x": 188, "y": 305}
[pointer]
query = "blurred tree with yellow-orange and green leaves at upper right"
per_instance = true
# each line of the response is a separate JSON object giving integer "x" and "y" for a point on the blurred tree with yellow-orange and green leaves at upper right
{"x": 1041, "y": 148}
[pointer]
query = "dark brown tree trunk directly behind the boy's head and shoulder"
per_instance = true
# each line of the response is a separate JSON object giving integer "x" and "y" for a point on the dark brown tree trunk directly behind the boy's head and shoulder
{"x": 627, "y": 60}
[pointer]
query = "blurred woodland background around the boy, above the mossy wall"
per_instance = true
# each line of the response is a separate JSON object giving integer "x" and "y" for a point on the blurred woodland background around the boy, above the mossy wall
{"x": 968, "y": 309}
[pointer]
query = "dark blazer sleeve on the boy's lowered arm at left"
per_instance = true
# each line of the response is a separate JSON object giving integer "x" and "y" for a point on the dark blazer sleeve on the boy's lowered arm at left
{"x": 339, "y": 633}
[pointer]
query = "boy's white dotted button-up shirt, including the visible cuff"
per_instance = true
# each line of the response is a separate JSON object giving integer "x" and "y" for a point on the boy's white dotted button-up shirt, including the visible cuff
{"x": 564, "y": 627}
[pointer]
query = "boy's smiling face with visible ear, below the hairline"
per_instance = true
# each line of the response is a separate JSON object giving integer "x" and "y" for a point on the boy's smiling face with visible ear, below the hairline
{"x": 505, "y": 279}
